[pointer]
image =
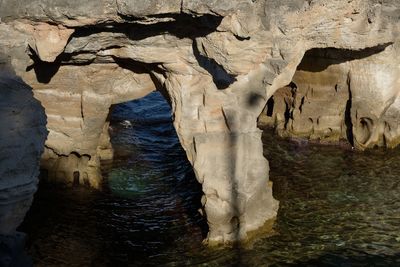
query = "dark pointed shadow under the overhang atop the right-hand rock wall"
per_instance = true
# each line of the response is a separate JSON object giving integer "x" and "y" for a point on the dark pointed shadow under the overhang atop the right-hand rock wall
{"x": 319, "y": 59}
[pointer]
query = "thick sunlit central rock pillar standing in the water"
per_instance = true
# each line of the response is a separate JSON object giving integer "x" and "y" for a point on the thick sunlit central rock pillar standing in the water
{"x": 224, "y": 145}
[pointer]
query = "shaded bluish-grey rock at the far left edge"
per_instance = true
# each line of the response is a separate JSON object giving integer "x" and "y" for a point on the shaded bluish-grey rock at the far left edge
{"x": 22, "y": 136}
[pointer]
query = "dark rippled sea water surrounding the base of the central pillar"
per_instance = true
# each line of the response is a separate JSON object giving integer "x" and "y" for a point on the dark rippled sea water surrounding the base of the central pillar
{"x": 337, "y": 207}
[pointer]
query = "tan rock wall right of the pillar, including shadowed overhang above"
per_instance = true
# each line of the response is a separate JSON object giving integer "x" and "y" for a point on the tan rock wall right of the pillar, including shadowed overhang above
{"x": 339, "y": 94}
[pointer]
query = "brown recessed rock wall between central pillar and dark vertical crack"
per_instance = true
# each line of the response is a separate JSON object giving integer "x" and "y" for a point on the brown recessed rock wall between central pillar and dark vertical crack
{"x": 316, "y": 105}
